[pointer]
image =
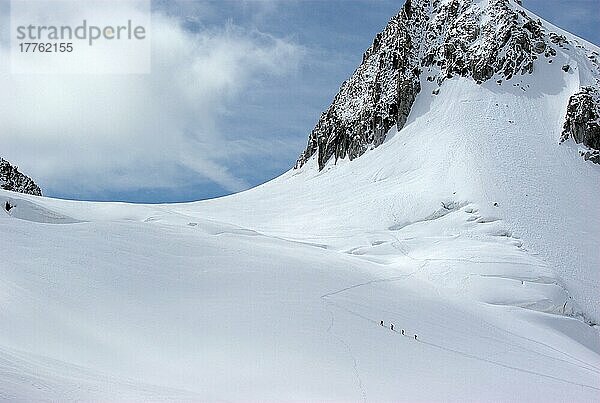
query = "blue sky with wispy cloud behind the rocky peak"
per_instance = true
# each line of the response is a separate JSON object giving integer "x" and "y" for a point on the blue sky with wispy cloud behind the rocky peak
{"x": 247, "y": 108}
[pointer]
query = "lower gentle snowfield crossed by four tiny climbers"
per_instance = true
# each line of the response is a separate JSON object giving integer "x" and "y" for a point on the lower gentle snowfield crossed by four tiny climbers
{"x": 173, "y": 306}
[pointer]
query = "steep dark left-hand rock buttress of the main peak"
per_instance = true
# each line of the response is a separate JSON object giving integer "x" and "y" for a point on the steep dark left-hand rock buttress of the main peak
{"x": 379, "y": 94}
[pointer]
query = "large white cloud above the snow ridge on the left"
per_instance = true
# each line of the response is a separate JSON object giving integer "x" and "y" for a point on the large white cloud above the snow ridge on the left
{"x": 96, "y": 132}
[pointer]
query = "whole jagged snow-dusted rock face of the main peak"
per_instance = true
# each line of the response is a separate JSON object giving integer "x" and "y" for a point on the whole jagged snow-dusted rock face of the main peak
{"x": 439, "y": 38}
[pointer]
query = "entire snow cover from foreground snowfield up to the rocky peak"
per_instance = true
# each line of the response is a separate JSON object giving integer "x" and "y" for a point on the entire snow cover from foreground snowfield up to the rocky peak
{"x": 471, "y": 227}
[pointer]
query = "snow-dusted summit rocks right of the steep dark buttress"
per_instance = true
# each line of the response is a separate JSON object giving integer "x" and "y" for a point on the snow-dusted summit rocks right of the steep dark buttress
{"x": 466, "y": 40}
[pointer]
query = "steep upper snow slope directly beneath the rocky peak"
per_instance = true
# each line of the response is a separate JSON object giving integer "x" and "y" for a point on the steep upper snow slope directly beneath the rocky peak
{"x": 480, "y": 144}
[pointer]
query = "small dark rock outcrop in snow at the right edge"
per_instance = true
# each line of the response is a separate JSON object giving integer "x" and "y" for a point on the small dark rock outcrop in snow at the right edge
{"x": 582, "y": 122}
